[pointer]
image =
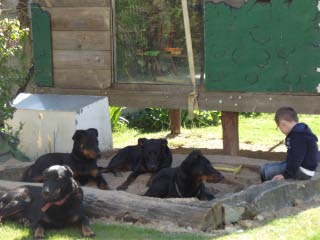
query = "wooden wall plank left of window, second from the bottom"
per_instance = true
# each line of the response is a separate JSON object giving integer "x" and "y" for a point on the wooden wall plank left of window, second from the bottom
{"x": 71, "y": 59}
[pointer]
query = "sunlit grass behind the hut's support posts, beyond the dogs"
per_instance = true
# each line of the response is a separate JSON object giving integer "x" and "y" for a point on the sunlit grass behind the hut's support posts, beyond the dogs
{"x": 260, "y": 131}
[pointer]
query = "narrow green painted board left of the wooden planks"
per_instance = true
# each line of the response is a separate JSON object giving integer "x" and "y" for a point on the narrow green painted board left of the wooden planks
{"x": 42, "y": 50}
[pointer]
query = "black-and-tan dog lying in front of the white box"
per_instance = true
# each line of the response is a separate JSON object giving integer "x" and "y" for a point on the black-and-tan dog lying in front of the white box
{"x": 82, "y": 160}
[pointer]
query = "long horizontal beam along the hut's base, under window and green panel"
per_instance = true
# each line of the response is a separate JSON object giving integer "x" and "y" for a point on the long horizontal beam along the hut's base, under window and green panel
{"x": 231, "y": 101}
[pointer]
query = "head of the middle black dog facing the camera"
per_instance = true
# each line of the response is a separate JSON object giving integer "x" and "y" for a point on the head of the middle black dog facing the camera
{"x": 153, "y": 152}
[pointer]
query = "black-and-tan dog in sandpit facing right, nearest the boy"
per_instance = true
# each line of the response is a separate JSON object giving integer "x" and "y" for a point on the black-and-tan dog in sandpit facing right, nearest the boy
{"x": 185, "y": 181}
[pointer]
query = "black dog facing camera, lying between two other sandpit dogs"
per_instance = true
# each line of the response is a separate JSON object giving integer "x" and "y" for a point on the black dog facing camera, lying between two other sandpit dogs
{"x": 149, "y": 156}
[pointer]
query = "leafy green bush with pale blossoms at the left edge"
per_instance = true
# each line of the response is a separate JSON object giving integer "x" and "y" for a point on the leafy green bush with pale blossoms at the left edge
{"x": 12, "y": 76}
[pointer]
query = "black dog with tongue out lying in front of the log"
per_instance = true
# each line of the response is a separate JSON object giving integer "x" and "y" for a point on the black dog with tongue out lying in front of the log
{"x": 55, "y": 205}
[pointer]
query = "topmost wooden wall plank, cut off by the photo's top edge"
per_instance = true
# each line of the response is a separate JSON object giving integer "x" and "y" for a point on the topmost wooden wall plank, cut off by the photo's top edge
{"x": 74, "y": 3}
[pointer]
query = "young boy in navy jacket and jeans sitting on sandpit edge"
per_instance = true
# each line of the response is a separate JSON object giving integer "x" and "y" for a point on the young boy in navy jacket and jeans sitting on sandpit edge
{"x": 302, "y": 149}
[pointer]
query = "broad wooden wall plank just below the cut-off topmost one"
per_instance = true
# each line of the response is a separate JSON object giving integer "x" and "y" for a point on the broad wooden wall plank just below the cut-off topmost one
{"x": 80, "y": 18}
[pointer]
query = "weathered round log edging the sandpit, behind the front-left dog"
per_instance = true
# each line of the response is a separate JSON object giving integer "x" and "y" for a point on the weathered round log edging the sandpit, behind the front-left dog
{"x": 129, "y": 207}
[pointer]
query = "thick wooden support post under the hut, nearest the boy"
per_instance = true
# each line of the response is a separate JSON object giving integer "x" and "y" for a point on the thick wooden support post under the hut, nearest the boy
{"x": 230, "y": 128}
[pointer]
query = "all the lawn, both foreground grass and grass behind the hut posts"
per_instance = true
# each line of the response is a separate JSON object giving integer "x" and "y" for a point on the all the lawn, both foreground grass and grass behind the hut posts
{"x": 259, "y": 133}
